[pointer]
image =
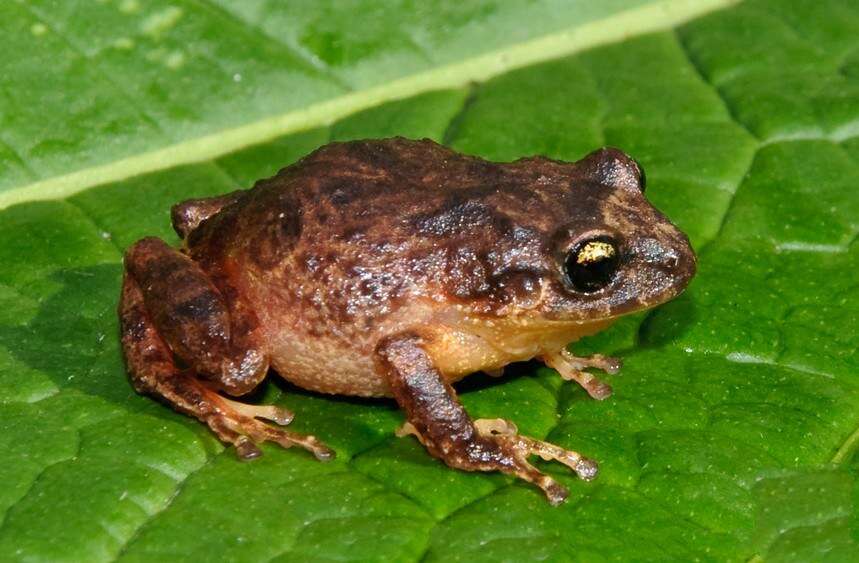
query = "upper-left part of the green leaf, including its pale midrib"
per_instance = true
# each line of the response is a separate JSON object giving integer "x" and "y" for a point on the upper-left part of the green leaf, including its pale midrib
{"x": 159, "y": 84}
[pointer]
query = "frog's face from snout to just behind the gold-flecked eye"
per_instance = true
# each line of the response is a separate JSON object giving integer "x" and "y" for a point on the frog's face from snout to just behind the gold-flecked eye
{"x": 613, "y": 252}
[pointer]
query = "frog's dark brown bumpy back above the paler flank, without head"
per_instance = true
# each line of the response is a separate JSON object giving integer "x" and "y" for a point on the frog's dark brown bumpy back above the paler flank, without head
{"x": 371, "y": 220}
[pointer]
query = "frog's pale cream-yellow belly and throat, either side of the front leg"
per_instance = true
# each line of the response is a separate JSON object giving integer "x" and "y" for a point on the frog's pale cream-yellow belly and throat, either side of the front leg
{"x": 459, "y": 345}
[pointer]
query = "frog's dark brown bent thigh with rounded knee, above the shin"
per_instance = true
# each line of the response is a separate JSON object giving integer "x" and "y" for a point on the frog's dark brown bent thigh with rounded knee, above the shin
{"x": 192, "y": 318}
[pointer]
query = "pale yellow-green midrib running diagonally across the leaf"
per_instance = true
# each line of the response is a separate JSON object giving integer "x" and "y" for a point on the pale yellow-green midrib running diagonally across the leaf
{"x": 660, "y": 15}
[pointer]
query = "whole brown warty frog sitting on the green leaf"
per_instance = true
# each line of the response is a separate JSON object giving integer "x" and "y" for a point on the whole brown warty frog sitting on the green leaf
{"x": 394, "y": 268}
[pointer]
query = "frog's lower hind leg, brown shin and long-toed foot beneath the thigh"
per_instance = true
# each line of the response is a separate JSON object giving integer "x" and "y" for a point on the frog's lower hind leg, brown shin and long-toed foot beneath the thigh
{"x": 153, "y": 371}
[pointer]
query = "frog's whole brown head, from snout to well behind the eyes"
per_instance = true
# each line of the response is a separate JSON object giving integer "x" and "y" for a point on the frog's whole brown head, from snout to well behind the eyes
{"x": 585, "y": 244}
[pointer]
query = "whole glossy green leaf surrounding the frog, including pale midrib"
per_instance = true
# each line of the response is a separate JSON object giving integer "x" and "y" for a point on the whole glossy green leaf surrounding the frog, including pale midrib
{"x": 734, "y": 424}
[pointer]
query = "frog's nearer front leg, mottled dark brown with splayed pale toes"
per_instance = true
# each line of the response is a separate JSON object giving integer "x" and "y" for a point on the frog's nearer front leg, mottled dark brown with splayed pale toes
{"x": 435, "y": 415}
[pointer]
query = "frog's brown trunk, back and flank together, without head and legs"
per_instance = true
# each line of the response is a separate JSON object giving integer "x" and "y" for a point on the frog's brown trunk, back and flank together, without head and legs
{"x": 359, "y": 239}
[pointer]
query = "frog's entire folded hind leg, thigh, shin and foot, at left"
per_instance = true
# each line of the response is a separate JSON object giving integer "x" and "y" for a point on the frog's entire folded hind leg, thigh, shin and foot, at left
{"x": 169, "y": 308}
